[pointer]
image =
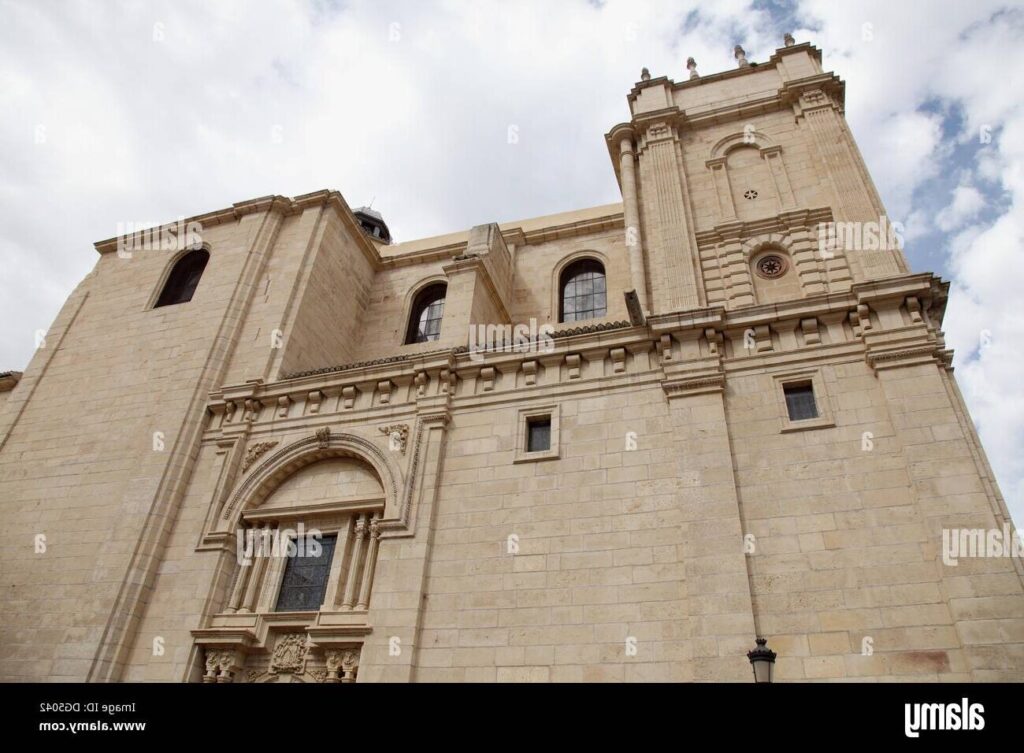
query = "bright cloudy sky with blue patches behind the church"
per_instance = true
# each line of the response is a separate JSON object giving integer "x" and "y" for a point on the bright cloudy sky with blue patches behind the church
{"x": 143, "y": 112}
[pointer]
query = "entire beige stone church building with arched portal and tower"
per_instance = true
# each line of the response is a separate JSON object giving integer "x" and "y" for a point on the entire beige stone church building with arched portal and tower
{"x": 706, "y": 423}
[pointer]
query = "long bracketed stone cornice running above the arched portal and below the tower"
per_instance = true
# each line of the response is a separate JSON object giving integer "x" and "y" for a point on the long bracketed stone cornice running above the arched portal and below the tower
{"x": 690, "y": 352}
